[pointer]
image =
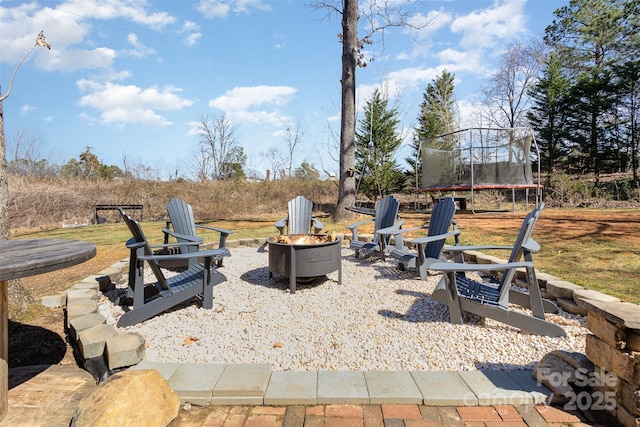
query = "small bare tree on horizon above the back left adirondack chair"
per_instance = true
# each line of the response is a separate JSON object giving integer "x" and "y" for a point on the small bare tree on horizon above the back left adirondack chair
{"x": 219, "y": 144}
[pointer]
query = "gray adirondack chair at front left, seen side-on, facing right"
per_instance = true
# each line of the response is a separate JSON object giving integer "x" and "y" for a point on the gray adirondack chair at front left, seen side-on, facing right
{"x": 150, "y": 299}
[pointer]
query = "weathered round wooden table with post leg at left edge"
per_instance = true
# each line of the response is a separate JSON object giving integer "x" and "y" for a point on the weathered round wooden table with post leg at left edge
{"x": 24, "y": 258}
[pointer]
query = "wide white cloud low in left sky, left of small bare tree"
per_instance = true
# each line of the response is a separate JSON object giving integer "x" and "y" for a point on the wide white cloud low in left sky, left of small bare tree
{"x": 123, "y": 104}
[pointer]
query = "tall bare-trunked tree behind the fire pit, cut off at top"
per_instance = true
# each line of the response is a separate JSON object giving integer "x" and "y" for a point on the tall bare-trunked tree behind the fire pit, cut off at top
{"x": 378, "y": 17}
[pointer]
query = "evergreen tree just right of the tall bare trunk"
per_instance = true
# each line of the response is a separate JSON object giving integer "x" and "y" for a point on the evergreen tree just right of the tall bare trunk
{"x": 377, "y": 142}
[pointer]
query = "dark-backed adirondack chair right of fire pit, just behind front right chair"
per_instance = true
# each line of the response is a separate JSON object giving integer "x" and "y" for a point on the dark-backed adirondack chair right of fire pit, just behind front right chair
{"x": 428, "y": 249}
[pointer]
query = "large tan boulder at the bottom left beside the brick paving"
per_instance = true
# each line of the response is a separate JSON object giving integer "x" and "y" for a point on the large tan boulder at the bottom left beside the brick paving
{"x": 129, "y": 398}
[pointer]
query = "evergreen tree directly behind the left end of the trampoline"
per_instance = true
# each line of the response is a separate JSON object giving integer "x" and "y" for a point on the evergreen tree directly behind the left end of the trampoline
{"x": 437, "y": 116}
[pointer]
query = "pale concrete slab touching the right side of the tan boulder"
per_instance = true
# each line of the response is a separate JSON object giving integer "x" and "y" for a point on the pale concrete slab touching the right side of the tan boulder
{"x": 193, "y": 382}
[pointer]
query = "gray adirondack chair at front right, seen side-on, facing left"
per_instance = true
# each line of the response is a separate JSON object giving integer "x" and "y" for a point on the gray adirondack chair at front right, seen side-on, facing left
{"x": 491, "y": 300}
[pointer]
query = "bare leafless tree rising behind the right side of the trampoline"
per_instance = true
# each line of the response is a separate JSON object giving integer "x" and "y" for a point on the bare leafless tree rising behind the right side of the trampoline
{"x": 506, "y": 95}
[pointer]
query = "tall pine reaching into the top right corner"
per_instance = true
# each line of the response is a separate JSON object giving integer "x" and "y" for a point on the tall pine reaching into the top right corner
{"x": 591, "y": 37}
